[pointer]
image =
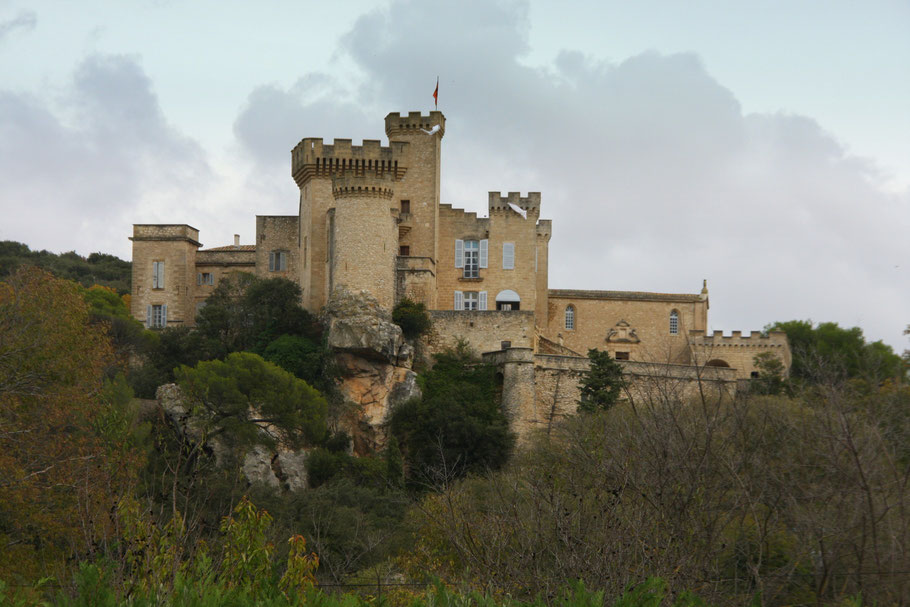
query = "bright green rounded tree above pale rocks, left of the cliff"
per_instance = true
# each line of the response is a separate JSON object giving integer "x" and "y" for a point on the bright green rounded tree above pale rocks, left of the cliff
{"x": 246, "y": 400}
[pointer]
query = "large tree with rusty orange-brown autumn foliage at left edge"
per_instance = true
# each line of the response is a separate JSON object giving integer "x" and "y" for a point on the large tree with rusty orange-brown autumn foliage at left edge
{"x": 64, "y": 445}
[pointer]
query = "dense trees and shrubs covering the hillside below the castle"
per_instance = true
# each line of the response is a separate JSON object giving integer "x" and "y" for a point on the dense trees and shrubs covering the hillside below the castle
{"x": 794, "y": 493}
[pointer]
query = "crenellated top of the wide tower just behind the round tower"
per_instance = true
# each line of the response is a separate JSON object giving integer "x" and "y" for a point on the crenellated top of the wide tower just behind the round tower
{"x": 313, "y": 158}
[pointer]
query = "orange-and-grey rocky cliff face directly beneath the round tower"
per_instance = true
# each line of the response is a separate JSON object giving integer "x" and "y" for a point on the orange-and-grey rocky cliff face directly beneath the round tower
{"x": 374, "y": 363}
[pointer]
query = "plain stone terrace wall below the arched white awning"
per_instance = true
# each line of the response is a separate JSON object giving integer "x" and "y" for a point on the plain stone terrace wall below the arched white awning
{"x": 484, "y": 331}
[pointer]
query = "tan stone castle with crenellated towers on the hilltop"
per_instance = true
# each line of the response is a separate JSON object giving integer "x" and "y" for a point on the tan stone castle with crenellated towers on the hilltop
{"x": 370, "y": 218}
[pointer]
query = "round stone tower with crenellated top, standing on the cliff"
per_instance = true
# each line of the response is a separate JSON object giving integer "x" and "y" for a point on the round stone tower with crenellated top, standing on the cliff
{"x": 364, "y": 236}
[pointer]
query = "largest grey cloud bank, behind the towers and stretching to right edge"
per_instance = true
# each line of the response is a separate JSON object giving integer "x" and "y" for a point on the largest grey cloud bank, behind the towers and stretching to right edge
{"x": 654, "y": 176}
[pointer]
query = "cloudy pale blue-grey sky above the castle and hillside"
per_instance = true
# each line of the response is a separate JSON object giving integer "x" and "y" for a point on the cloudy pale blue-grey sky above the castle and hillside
{"x": 763, "y": 146}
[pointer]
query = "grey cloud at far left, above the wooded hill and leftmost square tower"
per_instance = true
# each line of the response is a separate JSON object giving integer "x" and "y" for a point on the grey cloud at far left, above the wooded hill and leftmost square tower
{"x": 77, "y": 174}
